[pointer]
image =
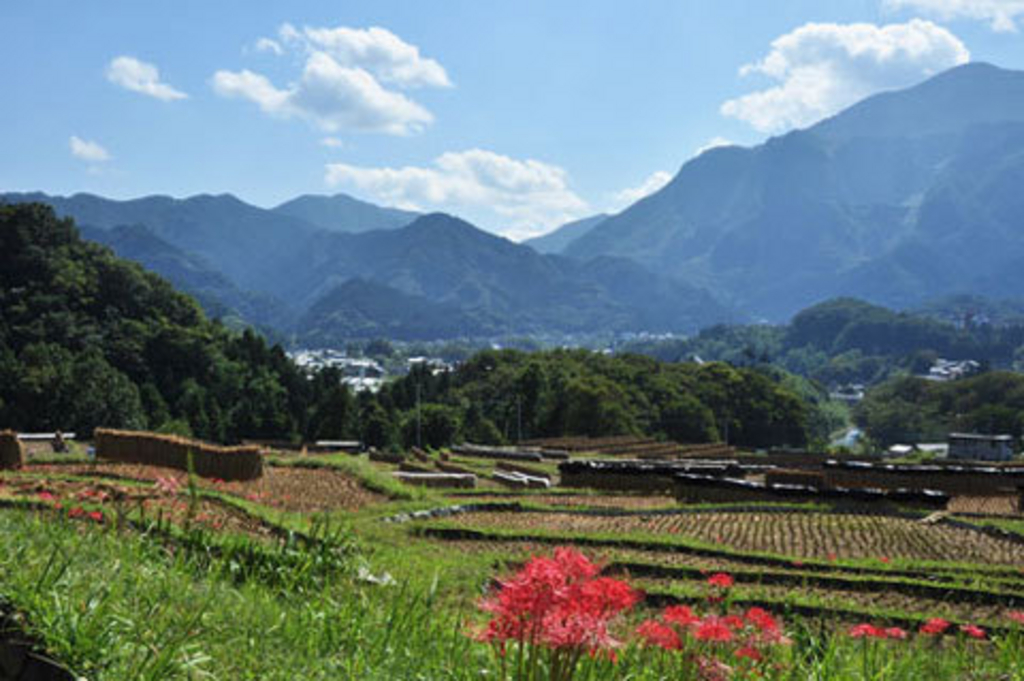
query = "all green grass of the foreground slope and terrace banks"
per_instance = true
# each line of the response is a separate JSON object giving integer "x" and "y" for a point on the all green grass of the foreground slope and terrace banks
{"x": 165, "y": 603}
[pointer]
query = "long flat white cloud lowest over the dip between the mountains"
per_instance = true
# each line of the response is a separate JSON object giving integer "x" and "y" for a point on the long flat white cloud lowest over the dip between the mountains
{"x": 527, "y": 198}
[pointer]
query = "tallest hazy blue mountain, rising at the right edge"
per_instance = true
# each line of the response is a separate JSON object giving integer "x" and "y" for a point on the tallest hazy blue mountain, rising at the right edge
{"x": 899, "y": 199}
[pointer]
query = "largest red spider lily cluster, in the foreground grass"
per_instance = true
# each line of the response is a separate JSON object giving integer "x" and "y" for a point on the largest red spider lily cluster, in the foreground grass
{"x": 560, "y": 604}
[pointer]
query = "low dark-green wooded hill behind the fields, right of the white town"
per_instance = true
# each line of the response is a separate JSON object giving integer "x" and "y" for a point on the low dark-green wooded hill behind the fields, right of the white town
{"x": 496, "y": 394}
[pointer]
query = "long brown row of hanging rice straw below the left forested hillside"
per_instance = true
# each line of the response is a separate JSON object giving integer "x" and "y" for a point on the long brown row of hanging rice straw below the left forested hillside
{"x": 227, "y": 463}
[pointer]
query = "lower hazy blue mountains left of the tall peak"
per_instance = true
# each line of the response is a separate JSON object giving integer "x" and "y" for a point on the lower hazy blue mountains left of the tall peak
{"x": 307, "y": 271}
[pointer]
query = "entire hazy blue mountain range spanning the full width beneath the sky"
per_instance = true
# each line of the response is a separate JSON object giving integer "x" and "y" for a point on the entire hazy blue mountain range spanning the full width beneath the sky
{"x": 906, "y": 197}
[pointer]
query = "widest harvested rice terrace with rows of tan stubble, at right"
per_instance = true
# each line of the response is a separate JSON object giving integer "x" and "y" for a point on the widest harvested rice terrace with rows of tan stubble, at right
{"x": 821, "y": 536}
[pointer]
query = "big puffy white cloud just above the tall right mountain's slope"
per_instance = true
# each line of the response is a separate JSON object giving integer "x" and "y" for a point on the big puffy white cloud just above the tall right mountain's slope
{"x": 823, "y": 68}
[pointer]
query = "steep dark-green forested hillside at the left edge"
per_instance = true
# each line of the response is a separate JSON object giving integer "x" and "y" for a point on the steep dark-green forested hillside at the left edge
{"x": 88, "y": 339}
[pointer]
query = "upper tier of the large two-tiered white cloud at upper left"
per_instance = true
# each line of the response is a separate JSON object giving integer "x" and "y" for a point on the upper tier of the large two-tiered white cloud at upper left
{"x": 375, "y": 50}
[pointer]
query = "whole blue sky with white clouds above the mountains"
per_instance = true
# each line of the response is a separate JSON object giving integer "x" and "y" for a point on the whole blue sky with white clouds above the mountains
{"x": 518, "y": 116}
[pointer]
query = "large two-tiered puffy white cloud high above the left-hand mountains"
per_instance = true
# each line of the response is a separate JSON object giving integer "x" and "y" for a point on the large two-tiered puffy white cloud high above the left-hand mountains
{"x": 340, "y": 88}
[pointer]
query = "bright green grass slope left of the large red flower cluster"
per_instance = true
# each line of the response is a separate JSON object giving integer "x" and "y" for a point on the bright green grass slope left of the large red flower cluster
{"x": 121, "y": 607}
